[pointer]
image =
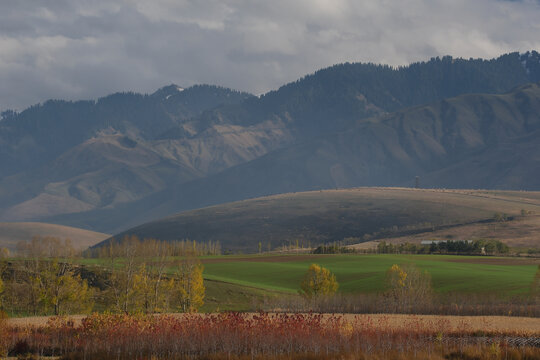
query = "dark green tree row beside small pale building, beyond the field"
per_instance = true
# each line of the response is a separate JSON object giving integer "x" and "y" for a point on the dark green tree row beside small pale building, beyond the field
{"x": 474, "y": 247}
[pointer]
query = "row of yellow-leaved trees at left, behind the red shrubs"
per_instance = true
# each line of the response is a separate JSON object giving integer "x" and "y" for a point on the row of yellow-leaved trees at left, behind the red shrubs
{"x": 127, "y": 276}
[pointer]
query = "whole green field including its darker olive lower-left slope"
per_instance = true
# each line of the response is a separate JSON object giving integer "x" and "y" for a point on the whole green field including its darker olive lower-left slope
{"x": 240, "y": 282}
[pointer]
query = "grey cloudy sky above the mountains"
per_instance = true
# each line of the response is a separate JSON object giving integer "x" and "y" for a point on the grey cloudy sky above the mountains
{"x": 74, "y": 49}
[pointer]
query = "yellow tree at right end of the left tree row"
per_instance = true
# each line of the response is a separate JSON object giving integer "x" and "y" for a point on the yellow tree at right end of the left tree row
{"x": 189, "y": 283}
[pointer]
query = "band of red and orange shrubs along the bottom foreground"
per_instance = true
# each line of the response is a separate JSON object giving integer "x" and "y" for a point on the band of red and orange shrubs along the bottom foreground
{"x": 261, "y": 335}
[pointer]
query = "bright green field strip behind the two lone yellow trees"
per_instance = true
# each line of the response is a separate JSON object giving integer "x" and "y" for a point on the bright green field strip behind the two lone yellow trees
{"x": 365, "y": 273}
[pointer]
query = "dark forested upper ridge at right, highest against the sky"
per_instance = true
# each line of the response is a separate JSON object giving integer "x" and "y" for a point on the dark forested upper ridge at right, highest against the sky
{"x": 330, "y": 98}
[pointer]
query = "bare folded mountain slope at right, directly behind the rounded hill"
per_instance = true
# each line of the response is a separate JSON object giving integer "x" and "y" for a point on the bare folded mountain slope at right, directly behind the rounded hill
{"x": 470, "y": 141}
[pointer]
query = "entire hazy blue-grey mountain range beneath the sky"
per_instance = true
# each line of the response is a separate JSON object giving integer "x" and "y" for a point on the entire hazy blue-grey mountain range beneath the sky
{"x": 128, "y": 158}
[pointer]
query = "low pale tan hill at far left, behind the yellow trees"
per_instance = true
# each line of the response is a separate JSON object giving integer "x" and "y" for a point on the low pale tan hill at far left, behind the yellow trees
{"x": 12, "y": 233}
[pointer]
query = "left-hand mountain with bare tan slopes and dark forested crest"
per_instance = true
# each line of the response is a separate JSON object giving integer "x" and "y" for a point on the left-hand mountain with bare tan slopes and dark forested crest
{"x": 115, "y": 151}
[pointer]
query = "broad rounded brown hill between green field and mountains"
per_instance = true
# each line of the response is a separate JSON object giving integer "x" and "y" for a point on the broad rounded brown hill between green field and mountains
{"x": 334, "y": 215}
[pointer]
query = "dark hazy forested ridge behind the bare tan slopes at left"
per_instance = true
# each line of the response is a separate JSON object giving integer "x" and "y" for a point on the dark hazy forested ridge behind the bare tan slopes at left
{"x": 44, "y": 131}
